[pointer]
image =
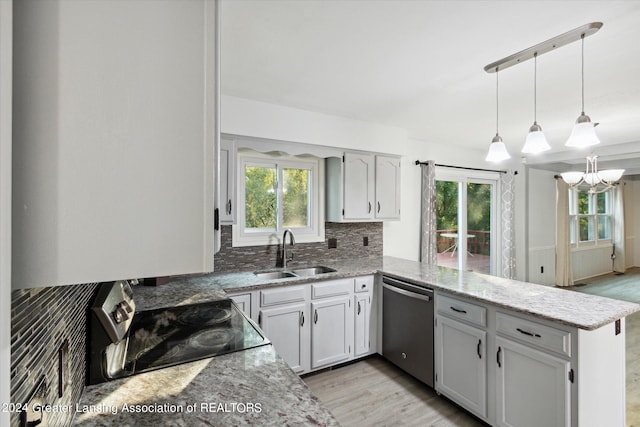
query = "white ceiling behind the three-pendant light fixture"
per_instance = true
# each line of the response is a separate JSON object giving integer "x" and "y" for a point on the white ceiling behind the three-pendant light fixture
{"x": 419, "y": 65}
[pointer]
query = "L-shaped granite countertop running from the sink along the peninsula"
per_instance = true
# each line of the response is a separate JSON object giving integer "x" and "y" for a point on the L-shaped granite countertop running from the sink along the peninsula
{"x": 571, "y": 308}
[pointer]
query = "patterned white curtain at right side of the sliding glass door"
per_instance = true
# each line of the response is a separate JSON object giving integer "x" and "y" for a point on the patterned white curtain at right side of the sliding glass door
{"x": 507, "y": 213}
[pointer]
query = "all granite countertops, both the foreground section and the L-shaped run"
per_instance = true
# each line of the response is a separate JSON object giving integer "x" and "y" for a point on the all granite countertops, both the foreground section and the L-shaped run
{"x": 228, "y": 389}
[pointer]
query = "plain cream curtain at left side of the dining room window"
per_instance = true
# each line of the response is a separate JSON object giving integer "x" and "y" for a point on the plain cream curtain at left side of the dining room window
{"x": 564, "y": 270}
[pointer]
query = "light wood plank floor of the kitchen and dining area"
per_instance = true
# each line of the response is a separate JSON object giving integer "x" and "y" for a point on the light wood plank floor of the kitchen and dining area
{"x": 374, "y": 392}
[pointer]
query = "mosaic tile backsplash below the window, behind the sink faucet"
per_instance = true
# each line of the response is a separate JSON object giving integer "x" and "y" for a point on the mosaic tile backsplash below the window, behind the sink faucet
{"x": 349, "y": 243}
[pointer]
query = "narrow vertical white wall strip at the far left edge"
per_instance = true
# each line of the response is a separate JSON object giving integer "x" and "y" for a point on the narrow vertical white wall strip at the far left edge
{"x": 6, "y": 31}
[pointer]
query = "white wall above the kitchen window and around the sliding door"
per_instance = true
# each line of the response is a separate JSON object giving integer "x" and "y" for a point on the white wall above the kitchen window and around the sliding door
{"x": 401, "y": 238}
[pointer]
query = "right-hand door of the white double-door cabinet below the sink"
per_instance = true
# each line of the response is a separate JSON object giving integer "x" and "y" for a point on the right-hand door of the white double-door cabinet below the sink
{"x": 331, "y": 331}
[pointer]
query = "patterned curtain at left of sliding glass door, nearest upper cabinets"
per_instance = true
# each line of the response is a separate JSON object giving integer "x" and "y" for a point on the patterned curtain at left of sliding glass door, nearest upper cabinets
{"x": 428, "y": 238}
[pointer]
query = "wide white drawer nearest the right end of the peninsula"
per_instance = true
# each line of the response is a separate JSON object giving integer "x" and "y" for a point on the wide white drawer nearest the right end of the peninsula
{"x": 549, "y": 338}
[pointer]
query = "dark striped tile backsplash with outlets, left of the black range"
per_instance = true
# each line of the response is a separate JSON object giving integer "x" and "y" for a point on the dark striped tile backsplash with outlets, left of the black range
{"x": 41, "y": 320}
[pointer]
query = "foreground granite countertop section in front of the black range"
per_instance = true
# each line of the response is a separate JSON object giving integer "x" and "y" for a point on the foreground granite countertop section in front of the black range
{"x": 251, "y": 387}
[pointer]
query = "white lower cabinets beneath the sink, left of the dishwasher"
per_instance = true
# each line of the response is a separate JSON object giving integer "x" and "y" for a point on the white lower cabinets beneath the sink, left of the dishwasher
{"x": 317, "y": 325}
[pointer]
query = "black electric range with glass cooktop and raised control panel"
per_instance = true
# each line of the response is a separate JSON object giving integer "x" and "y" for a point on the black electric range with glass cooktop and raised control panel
{"x": 124, "y": 342}
